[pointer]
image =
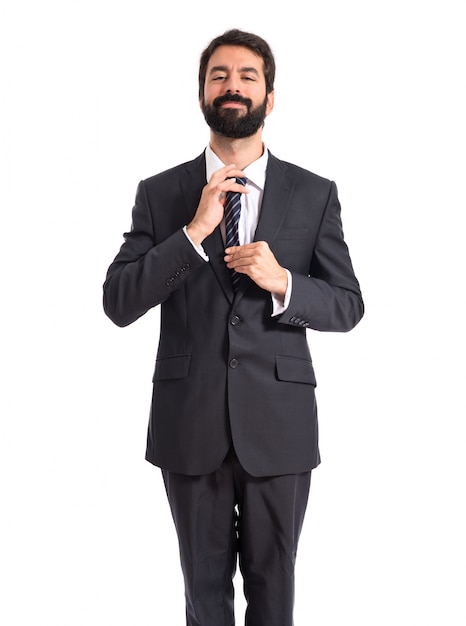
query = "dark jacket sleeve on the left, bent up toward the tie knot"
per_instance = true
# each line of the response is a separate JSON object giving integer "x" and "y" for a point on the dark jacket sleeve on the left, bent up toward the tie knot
{"x": 146, "y": 271}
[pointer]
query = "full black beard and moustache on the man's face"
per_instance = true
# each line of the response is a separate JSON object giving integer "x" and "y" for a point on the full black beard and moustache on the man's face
{"x": 234, "y": 123}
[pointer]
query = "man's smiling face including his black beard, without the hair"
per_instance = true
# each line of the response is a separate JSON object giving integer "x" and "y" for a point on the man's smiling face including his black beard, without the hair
{"x": 235, "y": 102}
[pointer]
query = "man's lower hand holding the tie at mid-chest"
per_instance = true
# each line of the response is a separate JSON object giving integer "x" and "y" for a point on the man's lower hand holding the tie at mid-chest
{"x": 259, "y": 263}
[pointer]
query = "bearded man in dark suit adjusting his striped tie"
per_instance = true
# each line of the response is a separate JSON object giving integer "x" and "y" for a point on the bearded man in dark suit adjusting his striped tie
{"x": 233, "y": 421}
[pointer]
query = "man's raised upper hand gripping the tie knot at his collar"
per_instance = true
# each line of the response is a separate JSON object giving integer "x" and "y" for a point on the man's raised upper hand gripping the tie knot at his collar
{"x": 209, "y": 213}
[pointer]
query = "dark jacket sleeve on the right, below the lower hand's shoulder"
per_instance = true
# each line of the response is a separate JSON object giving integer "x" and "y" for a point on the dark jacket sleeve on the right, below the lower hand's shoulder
{"x": 329, "y": 298}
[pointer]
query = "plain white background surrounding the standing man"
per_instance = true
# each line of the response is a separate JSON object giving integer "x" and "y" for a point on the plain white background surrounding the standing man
{"x": 97, "y": 95}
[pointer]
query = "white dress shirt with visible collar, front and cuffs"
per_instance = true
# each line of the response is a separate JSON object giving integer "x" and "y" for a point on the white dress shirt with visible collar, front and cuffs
{"x": 250, "y": 210}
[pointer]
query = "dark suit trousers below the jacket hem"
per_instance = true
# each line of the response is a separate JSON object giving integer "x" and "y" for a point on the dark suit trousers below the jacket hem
{"x": 229, "y": 515}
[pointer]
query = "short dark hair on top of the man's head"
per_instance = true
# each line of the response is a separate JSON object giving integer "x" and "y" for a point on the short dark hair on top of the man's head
{"x": 237, "y": 37}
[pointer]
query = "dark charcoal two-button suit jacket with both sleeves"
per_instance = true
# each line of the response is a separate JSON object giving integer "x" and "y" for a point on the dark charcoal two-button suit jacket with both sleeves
{"x": 226, "y": 370}
